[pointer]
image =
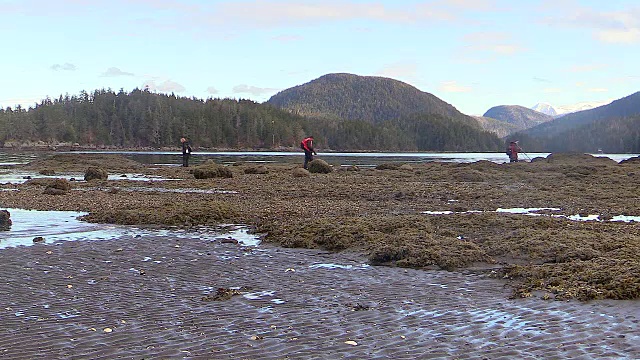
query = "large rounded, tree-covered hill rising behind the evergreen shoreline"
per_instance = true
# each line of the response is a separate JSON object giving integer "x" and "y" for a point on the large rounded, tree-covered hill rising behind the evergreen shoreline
{"x": 368, "y": 98}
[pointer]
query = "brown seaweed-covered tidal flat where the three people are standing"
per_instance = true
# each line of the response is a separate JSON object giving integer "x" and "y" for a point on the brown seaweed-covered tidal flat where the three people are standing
{"x": 434, "y": 215}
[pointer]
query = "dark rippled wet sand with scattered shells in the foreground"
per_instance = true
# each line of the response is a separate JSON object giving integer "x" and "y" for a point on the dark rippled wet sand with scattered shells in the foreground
{"x": 57, "y": 300}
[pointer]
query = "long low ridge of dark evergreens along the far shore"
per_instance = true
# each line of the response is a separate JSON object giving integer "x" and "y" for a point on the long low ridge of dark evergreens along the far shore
{"x": 144, "y": 119}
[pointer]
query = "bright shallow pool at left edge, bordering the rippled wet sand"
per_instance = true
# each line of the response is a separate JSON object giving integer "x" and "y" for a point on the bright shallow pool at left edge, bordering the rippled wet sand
{"x": 55, "y": 226}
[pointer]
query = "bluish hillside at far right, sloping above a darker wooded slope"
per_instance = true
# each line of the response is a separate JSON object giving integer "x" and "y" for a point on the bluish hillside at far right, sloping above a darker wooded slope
{"x": 627, "y": 106}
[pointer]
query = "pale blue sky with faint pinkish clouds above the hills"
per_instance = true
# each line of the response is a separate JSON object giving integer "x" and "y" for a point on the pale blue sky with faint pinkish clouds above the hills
{"x": 473, "y": 54}
